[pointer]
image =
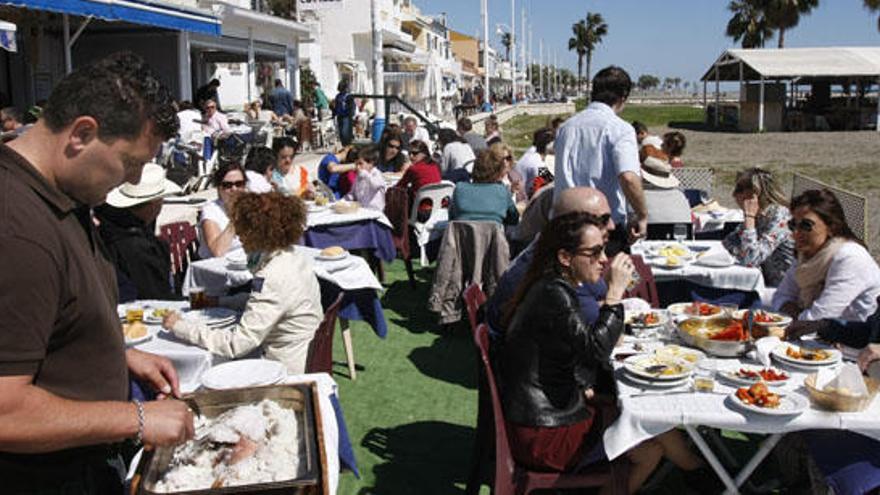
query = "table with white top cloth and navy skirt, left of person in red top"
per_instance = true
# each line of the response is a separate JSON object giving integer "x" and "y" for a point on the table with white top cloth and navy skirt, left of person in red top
{"x": 363, "y": 229}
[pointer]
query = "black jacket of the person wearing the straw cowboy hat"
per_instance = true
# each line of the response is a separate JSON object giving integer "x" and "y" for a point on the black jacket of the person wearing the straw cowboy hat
{"x": 142, "y": 261}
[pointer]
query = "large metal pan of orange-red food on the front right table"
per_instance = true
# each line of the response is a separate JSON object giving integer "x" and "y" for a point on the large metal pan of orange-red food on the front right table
{"x": 721, "y": 336}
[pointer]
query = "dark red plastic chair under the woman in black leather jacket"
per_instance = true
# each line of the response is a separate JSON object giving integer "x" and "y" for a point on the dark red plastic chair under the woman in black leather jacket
{"x": 512, "y": 479}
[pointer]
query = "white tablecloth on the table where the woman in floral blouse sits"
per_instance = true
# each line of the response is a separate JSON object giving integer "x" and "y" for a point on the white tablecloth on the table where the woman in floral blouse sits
{"x": 732, "y": 277}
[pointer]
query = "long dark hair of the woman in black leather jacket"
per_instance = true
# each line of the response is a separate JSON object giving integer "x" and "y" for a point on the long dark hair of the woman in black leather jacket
{"x": 563, "y": 232}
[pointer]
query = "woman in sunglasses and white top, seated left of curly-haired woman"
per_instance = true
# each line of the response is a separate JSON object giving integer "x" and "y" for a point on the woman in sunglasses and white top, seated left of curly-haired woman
{"x": 217, "y": 233}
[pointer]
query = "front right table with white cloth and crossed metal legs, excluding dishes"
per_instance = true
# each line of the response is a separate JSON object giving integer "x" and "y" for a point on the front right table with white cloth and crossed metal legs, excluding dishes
{"x": 648, "y": 413}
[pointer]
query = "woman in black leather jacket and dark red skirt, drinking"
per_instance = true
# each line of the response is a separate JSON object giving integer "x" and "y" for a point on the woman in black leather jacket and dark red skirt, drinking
{"x": 549, "y": 359}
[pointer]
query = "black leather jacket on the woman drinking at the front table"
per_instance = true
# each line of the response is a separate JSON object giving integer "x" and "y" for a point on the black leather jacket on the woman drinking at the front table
{"x": 549, "y": 356}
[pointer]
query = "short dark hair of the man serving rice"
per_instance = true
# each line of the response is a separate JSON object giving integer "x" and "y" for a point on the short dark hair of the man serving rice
{"x": 120, "y": 92}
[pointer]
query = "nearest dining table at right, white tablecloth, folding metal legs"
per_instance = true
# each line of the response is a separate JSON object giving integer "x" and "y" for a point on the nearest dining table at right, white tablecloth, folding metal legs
{"x": 647, "y": 411}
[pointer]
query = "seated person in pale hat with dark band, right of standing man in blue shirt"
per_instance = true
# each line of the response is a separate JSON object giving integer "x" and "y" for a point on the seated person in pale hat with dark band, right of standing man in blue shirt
{"x": 665, "y": 202}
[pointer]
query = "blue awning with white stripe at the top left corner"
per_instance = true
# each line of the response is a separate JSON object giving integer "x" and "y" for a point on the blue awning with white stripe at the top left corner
{"x": 147, "y": 12}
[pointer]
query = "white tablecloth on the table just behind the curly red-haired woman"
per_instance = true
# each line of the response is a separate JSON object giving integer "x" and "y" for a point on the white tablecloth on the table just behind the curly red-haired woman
{"x": 212, "y": 274}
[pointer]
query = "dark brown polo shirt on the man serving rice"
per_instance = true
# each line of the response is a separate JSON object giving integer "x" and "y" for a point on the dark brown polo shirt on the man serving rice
{"x": 58, "y": 318}
